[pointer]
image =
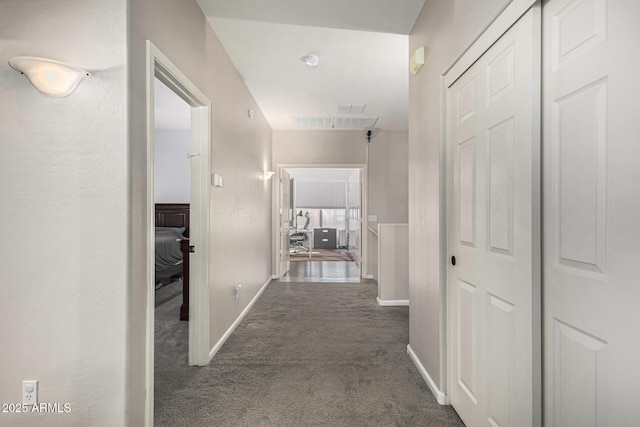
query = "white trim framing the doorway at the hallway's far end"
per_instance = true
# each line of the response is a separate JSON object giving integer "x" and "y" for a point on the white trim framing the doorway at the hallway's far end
{"x": 276, "y": 209}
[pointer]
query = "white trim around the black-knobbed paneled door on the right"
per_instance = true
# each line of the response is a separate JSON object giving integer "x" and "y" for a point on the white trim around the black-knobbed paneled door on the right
{"x": 503, "y": 22}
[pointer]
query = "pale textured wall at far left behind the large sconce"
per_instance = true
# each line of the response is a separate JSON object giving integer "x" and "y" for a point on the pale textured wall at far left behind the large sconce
{"x": 63, "y": 186}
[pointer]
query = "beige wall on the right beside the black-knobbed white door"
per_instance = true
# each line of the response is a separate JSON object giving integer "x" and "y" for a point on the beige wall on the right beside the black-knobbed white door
{"x": 445, "y": 29}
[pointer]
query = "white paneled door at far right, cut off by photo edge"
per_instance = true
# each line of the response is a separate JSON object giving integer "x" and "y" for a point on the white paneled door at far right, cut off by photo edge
{"x": 592, "y": 212}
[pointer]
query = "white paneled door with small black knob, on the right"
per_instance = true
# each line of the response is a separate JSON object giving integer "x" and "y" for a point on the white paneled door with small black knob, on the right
{"x": 493, "y": 276}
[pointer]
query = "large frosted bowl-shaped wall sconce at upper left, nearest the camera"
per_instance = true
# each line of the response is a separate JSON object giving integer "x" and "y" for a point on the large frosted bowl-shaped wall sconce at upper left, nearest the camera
{"x": 50, "y": 77}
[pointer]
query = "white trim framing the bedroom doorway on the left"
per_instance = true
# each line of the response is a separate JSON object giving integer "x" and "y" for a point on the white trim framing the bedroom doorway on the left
{"x": 158, "y": 65}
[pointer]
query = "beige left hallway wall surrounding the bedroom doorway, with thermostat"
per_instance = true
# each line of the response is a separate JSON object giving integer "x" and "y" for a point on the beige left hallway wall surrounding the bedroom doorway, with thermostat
{"x": 241, "y": 150}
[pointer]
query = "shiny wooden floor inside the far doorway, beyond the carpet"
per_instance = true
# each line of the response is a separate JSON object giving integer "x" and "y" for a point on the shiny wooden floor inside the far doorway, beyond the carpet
{"x": 323, "y": 271}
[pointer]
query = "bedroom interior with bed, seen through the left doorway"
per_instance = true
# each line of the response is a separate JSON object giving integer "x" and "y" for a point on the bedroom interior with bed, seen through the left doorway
{"x": 172, "y": 197}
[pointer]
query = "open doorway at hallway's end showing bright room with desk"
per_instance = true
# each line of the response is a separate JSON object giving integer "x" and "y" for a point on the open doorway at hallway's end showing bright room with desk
{"x": 321, "y": 226}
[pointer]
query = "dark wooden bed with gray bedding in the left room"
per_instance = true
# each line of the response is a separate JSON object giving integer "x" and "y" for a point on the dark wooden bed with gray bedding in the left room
{"x": 172, "y": 248}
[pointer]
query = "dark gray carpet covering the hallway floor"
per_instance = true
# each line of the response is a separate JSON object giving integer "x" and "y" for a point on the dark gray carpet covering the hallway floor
{"x": 308, "y": 354}
